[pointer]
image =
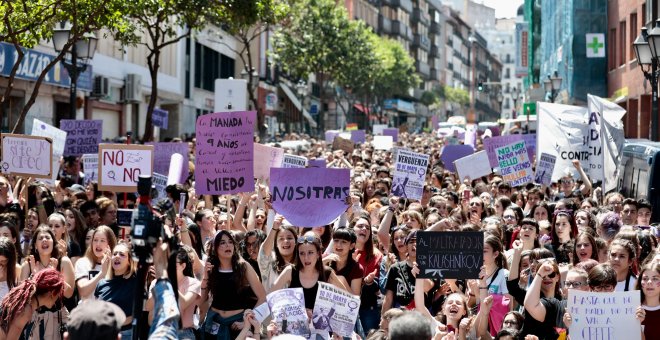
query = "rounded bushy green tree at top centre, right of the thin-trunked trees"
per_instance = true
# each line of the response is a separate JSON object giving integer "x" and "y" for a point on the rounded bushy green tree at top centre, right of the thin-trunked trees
{"x": 312, "y": 41}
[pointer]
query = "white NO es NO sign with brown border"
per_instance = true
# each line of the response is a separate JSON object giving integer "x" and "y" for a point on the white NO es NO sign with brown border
{"x": 120, "y": 165}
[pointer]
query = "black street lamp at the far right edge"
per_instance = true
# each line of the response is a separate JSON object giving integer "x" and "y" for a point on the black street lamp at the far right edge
{"x": 646, "y": 49}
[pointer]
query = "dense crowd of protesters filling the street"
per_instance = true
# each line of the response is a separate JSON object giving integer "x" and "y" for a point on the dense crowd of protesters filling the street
{"x": 62, "y": 250}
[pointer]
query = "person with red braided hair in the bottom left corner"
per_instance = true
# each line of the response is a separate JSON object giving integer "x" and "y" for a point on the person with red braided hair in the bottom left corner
{"x": 44, "y": 289}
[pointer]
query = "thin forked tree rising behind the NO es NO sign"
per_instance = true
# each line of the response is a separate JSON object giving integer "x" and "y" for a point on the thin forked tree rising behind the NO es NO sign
{"x": 159, "y": 24}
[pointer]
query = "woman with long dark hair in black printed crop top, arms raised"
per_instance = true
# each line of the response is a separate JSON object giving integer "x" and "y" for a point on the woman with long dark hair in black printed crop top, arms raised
{"x": 227, "y": 272}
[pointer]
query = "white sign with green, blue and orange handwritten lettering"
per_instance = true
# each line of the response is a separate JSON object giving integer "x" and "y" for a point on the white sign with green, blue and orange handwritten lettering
{"x": 514, "y": 163}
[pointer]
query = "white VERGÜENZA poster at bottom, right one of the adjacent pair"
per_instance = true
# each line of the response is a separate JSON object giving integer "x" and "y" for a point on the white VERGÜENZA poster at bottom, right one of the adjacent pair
{"x": 335, "y": 310}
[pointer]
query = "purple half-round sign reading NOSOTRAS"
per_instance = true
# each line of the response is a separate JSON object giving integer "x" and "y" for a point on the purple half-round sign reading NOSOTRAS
{"x": 309, "y": 197}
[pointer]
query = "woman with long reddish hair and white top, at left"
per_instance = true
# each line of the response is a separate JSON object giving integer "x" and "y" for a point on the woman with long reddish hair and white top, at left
{"x": 93, "y": 267}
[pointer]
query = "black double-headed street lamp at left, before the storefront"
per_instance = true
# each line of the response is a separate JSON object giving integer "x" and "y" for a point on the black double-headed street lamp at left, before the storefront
{"x": 82, "y": 49}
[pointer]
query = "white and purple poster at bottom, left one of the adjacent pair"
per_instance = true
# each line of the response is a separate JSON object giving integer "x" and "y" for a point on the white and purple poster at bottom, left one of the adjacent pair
{"x": 288, "y": 309}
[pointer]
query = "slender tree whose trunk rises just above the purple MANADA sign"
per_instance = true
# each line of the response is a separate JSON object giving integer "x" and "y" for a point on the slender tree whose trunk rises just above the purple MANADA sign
{"x": 247, "y": 20}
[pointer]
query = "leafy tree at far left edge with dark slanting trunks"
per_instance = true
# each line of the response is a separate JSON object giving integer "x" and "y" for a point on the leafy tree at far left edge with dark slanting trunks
{"x": 27, "y": 22}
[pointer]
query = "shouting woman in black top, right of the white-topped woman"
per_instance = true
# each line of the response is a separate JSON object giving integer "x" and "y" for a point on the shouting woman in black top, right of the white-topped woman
{"x": 119, "y": 285}
